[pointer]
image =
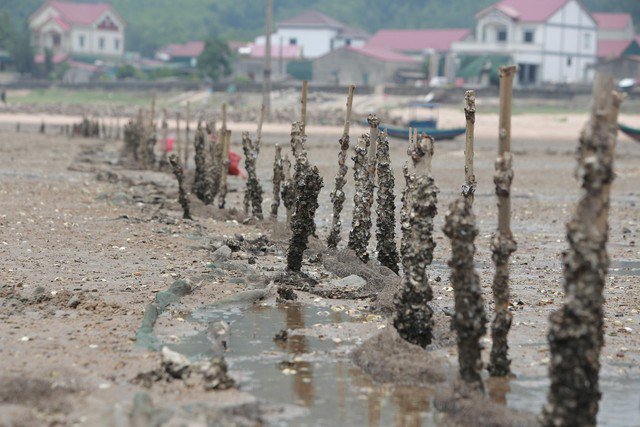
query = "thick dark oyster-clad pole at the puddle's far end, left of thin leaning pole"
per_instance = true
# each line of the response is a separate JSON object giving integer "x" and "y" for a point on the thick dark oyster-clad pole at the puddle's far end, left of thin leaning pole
{"x": 308, "y": 182}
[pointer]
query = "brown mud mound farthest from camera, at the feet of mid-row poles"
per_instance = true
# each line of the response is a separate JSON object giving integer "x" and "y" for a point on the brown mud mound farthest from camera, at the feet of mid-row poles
{"x": 344, "y": 263}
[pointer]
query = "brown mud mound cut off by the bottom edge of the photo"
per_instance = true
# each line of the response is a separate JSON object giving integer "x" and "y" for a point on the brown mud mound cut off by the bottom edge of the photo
{"x": 457, "y": 408}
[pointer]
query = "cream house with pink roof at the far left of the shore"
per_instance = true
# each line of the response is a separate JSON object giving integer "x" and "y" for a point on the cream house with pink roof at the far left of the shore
{"x": 77, "y": 29}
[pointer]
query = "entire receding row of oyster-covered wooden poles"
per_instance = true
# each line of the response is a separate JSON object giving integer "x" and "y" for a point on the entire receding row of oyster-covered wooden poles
{"x": 576, "y": 334}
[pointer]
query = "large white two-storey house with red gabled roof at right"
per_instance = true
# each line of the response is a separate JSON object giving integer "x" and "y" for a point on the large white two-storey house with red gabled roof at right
{"x": 551, "y": 41}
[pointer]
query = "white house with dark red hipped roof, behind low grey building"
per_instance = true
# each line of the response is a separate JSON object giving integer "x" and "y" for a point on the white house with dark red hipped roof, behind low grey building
{"x": 316, "y": 33}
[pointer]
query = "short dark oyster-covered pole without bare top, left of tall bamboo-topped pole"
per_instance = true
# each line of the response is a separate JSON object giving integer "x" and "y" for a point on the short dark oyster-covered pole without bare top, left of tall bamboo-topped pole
{"x": 470, "y": 319}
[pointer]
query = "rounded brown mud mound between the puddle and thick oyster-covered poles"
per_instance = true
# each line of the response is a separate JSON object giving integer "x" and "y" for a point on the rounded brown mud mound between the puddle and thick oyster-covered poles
{"x": 389, "y": 358}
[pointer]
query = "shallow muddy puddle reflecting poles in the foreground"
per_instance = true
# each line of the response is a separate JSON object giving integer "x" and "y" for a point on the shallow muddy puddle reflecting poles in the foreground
{"x": 315, "y": 373}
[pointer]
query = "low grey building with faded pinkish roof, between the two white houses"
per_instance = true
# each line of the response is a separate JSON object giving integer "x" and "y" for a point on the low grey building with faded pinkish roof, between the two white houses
{"x": 367, "y": 65}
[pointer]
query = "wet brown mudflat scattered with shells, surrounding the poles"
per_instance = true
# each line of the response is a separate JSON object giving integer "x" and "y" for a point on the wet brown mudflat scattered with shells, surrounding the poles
{"x": 86, "y": 246}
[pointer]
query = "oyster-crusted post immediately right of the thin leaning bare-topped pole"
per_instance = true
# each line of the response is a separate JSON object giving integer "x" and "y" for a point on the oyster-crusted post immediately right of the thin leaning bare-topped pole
{"x": 361, "y": 223}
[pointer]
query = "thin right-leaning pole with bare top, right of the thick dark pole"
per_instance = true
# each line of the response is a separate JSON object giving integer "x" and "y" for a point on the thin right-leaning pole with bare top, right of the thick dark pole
{"x": 337, "y": 195}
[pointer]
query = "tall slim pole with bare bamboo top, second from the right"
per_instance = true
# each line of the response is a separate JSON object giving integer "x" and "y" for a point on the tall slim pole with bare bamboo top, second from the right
{"x": 502, "y": 243}
